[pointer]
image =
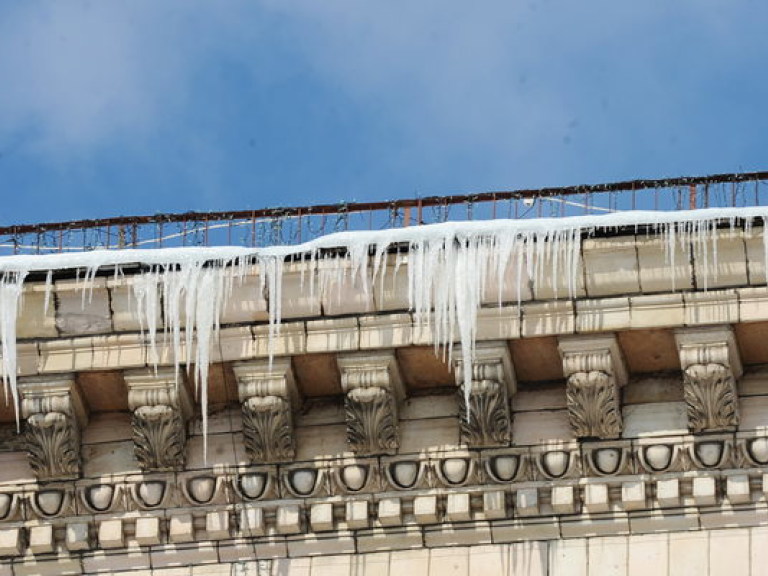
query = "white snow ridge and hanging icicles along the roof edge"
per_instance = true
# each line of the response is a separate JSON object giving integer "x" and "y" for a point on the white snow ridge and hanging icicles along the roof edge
{"x": 448, "y": 266}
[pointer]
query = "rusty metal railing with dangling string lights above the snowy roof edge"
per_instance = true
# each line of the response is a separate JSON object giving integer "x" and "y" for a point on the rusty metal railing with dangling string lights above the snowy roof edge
{"x": 281, "y": 226}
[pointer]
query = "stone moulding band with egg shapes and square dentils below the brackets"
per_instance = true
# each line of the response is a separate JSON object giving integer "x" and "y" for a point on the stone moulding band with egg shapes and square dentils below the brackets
{"x": 570, "y": 490}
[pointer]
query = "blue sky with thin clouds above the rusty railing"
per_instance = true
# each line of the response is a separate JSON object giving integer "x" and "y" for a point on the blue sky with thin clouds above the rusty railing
{"x": 112, "y": 107}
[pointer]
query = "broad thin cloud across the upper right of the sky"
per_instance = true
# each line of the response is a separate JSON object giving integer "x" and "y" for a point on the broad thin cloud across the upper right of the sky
{"x": 526, "y": 85}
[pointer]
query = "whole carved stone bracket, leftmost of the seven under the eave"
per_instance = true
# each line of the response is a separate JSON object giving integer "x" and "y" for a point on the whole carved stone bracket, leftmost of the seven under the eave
{"x": 55, "y": 415}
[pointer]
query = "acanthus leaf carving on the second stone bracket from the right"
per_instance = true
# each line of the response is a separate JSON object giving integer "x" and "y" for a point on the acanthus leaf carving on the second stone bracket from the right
{"x": 593, "y": 405}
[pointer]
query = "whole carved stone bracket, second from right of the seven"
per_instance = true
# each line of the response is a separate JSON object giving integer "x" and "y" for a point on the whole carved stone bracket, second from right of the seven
{"x": 595, "y": 371}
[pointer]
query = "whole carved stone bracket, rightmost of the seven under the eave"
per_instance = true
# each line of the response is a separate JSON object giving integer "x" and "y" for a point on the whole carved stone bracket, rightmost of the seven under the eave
{"x": 711, "y": 364}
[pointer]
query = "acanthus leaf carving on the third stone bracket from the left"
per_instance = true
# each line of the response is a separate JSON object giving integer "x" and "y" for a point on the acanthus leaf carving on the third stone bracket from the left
{"x": 268, "y": 429}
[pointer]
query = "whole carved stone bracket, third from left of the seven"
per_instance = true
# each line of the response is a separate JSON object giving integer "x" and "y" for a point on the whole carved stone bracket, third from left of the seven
{"x": 268, "y": 395}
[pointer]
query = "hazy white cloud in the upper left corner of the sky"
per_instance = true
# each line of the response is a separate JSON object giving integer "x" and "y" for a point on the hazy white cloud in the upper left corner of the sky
{"x": 77, "y": 75}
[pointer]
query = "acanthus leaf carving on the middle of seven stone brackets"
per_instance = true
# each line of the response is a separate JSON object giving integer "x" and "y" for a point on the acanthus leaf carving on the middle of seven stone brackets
{"x": 371, "y": 421}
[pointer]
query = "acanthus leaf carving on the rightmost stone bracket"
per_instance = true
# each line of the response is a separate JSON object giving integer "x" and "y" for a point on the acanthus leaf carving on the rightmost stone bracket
{"x": 711, "y": 398}
